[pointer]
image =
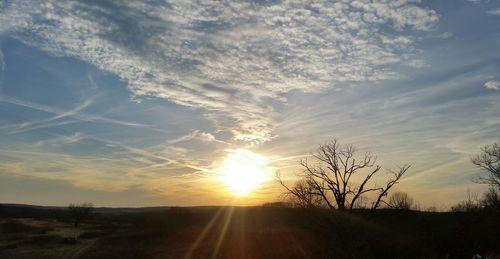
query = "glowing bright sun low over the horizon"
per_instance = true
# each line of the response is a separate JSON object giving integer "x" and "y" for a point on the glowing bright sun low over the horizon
{"x": 243, "y": 171}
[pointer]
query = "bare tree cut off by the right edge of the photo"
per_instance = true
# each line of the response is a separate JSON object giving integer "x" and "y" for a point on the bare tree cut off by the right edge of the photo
{"x": 489, "y": 160}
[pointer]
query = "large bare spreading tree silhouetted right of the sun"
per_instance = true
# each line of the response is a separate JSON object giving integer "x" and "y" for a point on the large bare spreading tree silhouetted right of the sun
{"x": 331, "y": 177}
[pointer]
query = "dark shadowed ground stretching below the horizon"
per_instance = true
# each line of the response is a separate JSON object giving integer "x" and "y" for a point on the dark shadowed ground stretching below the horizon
{"x": 253, "y": 232}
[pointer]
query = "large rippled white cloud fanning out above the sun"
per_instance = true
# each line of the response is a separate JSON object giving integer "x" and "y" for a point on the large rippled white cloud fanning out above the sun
{"x": 227, "y": 58}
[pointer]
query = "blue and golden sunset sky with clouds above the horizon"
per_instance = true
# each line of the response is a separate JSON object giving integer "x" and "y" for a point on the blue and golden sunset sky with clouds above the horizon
{"x": 140, "y": 103}
